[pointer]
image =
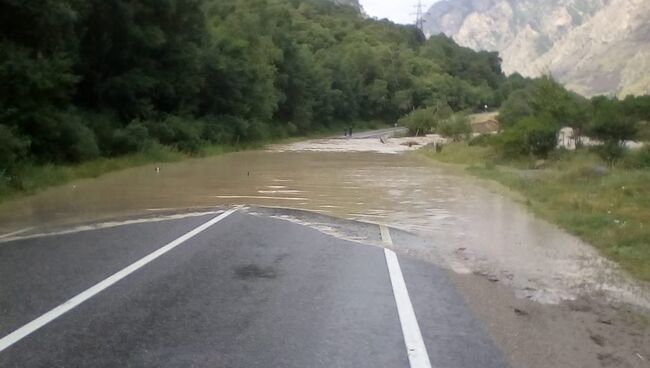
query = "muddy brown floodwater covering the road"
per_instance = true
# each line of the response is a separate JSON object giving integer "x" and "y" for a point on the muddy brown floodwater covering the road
{"x": 468, "y": 227}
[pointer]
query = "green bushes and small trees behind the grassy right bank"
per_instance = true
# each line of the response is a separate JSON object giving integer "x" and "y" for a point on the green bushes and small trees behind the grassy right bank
{"x": 531, "y": 118}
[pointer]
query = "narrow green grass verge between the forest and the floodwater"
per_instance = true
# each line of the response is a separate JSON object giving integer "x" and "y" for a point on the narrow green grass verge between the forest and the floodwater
{"x": 34, "y": 178}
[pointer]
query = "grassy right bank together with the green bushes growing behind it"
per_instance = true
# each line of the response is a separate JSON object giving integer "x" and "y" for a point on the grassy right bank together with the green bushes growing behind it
{"x": 599, "y": 192}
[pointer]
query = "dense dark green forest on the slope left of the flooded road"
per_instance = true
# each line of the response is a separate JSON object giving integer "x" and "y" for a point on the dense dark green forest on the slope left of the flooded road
{"x": 83, "y": 79}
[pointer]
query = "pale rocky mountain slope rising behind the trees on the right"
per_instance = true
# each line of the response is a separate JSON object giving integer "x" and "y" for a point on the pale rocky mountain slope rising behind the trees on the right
{"x": 593, "y": 46}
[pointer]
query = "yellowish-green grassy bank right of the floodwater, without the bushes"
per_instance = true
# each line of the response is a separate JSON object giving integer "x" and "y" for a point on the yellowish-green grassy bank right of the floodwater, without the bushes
{"x": 608, "y": 207}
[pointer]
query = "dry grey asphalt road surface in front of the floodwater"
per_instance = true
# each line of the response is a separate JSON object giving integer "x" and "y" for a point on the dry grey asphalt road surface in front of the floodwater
{"x": 237, "y": 290}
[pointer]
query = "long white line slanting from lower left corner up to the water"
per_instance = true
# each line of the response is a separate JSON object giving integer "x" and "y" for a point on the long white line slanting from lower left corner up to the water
{"x": 48, "y": 317}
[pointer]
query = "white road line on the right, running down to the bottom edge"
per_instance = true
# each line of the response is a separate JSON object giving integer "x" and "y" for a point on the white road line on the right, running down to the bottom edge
{"x": 417, "y": 351}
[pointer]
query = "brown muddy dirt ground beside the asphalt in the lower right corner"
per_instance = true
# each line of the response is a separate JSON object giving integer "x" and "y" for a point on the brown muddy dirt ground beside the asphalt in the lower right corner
{"x": 585, "y": 333}
